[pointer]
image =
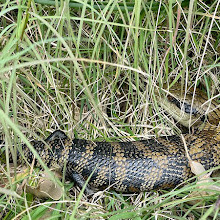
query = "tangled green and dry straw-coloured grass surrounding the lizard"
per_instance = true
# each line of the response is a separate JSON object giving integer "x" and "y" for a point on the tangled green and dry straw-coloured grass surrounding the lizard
{"x": 92, "y": 69}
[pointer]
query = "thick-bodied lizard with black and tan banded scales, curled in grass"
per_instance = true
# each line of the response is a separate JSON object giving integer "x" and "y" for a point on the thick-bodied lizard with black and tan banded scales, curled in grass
{"x": 136, "y": 166}
